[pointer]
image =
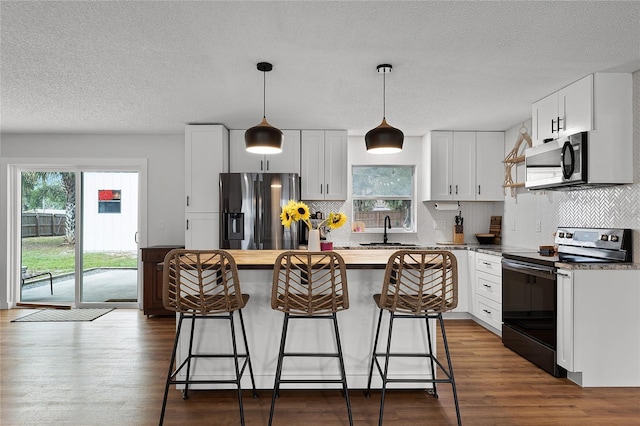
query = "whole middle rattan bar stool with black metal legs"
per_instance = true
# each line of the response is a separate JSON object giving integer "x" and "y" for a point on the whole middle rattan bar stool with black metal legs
{"x": 309, "y": 285}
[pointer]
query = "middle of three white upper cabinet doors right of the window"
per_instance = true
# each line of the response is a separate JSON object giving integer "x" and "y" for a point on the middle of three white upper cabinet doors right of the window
{"x": 464, "y": 166}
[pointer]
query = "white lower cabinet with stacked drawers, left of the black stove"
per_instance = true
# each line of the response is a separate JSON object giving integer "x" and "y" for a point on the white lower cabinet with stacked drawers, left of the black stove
{"x": 487, "y": 289}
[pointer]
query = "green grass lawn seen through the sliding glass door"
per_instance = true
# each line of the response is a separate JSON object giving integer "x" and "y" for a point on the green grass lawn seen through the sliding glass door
{"x": 51, "y": 254}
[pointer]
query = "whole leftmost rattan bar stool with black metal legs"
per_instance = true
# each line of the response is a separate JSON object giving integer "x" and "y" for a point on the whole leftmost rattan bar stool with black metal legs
{"x": 203, "y": 285}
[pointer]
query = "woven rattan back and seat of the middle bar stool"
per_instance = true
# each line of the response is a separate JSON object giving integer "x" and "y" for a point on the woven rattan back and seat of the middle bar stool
{"x": 309, "y": 283}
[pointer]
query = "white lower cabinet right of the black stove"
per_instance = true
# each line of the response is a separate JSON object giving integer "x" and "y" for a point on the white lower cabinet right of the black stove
{"x": 598, "y": 323}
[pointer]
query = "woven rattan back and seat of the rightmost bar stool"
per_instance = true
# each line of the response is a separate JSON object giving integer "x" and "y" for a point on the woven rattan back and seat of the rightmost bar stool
{"x": 420, "y": 281}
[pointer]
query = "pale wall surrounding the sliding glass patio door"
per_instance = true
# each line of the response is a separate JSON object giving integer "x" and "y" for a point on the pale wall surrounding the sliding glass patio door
{"x": 164, "y": 155}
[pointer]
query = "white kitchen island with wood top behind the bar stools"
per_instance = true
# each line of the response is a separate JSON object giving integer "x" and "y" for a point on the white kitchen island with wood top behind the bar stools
{"x": 365, "y": 271}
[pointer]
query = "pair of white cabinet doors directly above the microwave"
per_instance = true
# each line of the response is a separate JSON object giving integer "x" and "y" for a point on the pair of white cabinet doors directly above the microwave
{"x": 565, "y": 112}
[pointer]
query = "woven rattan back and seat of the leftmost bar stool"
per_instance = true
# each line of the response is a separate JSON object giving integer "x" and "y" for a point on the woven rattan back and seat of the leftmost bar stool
{"x": 201, "y": 282}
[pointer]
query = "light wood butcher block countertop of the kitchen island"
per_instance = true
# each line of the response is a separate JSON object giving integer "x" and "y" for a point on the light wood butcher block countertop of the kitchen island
{"x": 354, "y": 259}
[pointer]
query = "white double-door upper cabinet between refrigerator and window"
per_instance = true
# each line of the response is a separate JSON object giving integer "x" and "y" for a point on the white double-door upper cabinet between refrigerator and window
{"x": 324, "y": 165}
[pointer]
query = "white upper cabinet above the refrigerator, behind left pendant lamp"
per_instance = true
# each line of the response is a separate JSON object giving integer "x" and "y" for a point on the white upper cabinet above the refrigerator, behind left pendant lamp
{"x": 288, "y": 161}
